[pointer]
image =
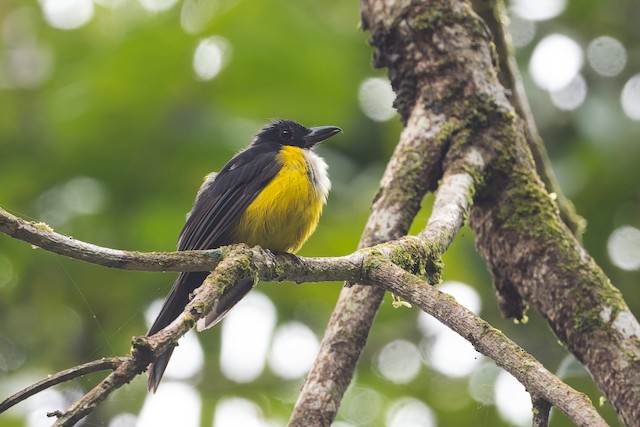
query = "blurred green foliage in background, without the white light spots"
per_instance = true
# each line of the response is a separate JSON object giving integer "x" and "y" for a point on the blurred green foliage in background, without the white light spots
{"x": 118, "y": 102}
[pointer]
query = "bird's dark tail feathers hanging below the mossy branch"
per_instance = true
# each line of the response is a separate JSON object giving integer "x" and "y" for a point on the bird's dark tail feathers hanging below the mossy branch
{"x": 175, "y": 303}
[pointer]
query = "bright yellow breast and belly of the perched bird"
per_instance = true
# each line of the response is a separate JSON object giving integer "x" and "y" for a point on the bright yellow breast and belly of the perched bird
{"x": 286, "y": 212}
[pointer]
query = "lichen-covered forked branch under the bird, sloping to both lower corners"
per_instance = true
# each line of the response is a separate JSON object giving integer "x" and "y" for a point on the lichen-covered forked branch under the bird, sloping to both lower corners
{"x": 373, "y": 266}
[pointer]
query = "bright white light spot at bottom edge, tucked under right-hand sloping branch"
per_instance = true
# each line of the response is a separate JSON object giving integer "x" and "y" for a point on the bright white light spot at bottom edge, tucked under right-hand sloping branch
{"x": 512, "y": 400}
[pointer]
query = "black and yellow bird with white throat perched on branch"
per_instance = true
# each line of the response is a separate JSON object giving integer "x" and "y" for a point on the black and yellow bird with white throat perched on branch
{"x": 271, "y": 194}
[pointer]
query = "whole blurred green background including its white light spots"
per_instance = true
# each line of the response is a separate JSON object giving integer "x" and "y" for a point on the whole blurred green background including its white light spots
{"x": 112, "y": 111}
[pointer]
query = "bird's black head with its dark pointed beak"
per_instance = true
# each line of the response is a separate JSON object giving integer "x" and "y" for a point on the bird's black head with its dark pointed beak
{"x": 287, "y": 132}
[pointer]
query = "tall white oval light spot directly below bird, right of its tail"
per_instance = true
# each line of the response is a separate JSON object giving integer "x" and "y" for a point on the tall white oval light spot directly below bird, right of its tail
{"x": 246, "y": 333}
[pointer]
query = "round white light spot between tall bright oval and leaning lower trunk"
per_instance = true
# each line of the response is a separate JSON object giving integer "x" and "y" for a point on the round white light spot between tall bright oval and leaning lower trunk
{"x": 293, "y": 350}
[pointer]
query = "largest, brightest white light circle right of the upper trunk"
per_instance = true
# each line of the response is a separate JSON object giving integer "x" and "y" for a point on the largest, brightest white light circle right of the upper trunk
{"x": 555, "y": 62}
